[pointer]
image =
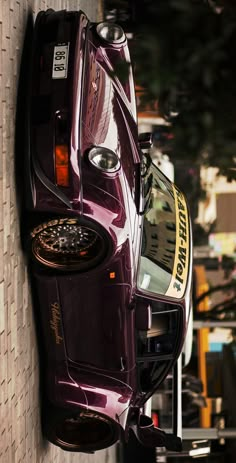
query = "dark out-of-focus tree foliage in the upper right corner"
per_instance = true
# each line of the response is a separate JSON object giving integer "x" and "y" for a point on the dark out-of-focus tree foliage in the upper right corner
{"x": 185, "y": 57}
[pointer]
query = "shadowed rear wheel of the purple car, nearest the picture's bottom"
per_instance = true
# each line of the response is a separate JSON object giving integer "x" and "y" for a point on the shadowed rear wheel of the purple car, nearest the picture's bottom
{"x": 78, "y": 430}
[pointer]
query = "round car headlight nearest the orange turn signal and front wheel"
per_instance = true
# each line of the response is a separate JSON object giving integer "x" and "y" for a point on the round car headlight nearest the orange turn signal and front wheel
{"x": 104, "y": 159}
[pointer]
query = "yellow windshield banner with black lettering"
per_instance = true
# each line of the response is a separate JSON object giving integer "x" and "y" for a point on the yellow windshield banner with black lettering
{"x": 181, "y": 262}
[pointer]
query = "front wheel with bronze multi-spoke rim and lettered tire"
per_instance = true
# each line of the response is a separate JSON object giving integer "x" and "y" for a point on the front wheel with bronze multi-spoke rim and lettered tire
{"x": 68, "y": 244}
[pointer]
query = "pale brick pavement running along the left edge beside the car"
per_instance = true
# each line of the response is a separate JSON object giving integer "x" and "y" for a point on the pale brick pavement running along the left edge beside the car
{"x": 20, "y": 432}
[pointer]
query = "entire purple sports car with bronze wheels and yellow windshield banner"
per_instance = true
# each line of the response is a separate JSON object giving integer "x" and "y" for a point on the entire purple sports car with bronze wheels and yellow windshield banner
{"x": 109, "y": 240}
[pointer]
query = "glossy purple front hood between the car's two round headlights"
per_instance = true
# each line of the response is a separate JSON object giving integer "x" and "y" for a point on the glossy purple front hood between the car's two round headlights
{"x": 107, "y": 115}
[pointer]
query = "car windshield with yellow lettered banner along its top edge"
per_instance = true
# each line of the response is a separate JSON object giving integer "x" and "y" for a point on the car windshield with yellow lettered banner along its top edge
{"x": 163, "y": 265}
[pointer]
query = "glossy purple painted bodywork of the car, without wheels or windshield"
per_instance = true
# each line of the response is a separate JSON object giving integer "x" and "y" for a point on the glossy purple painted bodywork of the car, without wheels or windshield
{"x": 88, "y": 319}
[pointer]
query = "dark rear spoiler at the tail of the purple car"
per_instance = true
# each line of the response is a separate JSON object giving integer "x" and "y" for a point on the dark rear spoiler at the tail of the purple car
{"x": 149, "y": 436}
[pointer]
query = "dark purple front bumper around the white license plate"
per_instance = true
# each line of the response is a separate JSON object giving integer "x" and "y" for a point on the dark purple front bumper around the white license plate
{"x": 51, "y": 98}
